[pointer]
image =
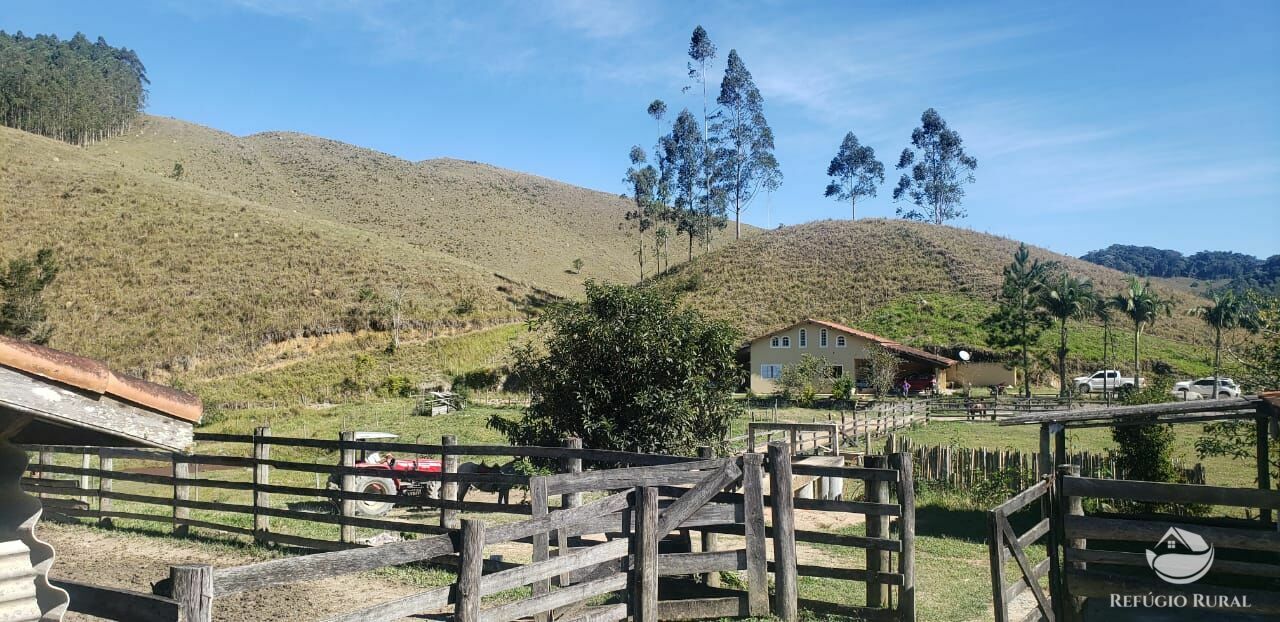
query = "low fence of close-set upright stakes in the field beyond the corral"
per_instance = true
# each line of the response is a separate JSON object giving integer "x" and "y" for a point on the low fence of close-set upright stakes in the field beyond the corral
{"x": 964, "y": 466}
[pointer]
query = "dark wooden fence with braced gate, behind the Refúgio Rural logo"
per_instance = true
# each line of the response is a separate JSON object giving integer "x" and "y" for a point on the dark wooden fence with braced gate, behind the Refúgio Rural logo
{"x": 1092, "y": 560}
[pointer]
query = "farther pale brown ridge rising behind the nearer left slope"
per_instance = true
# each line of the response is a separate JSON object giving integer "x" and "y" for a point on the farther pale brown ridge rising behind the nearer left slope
{"x": 523, "y": 227}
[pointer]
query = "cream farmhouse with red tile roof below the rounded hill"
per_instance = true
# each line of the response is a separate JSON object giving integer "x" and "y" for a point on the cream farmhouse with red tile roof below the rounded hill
{"x": 847, "y": 349}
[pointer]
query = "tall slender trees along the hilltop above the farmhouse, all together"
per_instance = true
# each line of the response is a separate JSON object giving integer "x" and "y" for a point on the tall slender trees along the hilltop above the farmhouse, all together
{"x": 714, "y": 163}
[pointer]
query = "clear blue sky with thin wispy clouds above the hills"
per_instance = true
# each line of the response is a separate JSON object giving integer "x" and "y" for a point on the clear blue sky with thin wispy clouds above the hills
{"x": 1094, "y": 124}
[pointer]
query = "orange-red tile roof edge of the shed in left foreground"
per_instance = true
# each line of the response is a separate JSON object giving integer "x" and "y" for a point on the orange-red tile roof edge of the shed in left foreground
{"x": 94, "y": 377}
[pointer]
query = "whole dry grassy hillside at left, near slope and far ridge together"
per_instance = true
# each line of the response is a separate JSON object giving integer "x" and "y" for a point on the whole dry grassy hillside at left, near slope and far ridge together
{"x": 273, "y": 246}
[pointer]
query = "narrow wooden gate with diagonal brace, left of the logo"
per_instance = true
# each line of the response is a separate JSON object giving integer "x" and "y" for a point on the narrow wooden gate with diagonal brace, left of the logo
{"x": 1005, "y": 545}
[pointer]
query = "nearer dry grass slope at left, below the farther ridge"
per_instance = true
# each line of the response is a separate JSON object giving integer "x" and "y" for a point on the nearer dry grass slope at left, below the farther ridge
{"x": 164, "y": 275}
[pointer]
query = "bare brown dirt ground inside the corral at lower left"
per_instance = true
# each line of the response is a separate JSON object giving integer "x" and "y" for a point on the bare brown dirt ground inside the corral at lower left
{"x": 134, "y": 562}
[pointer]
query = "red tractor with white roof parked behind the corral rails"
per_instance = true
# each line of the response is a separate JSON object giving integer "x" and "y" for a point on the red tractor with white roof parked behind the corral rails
{"x": 405, "y": 491}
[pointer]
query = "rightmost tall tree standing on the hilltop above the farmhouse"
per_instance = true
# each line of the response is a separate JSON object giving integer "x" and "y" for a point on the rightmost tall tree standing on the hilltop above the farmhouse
{"x": 936, "y": 172}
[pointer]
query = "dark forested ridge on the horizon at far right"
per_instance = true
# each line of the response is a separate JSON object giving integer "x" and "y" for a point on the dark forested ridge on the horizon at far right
{"x": 1244, "y": 271}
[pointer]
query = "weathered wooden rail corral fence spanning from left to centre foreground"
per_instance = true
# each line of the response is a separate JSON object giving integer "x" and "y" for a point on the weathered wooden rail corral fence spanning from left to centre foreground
{"x": 566, "y": 566}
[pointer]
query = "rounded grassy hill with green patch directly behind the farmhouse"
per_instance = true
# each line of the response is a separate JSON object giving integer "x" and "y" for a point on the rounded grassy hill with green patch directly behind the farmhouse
{"x": 918, "y": 283}
